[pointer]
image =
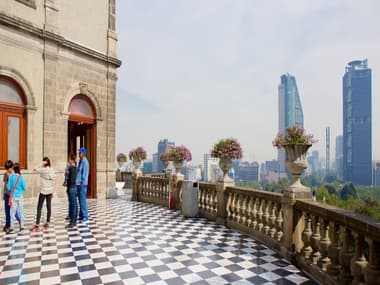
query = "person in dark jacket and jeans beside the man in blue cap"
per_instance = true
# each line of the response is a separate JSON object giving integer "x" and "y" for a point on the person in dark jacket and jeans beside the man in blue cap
{"x": 72, "y": 190}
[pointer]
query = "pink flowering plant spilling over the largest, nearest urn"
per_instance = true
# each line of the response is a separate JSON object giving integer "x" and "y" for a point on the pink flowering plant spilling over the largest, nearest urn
{"x": 294, "y": 135}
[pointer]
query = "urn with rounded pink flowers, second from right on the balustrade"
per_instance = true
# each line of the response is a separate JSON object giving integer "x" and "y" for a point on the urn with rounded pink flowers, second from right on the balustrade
{"x": 227, "y": 150}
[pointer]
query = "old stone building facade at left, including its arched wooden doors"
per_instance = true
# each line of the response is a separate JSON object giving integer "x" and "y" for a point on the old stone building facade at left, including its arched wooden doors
{"x": 58, "y": 63}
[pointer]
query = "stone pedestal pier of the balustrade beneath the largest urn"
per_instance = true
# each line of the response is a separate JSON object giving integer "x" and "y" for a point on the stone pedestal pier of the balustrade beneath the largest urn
{"x": 293, "y": 226}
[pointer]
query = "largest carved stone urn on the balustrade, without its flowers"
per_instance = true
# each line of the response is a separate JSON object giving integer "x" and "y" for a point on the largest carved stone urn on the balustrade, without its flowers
{"x": 296, "y": 162}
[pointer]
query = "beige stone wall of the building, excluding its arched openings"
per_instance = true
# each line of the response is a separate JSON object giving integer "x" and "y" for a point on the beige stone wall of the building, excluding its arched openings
{"x": 53, "y": 61}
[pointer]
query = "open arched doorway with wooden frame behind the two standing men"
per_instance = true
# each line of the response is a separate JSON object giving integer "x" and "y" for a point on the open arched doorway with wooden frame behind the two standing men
{"x": 82, "y": 133}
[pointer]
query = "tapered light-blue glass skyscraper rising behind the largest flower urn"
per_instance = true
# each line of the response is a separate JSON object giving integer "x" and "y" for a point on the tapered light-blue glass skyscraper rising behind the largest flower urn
{"x": 289, "y": 109}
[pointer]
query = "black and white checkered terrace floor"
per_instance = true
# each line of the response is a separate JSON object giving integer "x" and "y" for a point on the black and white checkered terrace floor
{"x": 135, "y": 243}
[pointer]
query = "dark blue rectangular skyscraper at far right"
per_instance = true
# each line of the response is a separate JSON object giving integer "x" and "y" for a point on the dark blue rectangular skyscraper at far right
{"x": 357, "y": 123}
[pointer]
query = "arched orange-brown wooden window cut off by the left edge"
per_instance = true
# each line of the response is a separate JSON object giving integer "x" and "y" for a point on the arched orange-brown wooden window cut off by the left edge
{"x": 12, "y": 122}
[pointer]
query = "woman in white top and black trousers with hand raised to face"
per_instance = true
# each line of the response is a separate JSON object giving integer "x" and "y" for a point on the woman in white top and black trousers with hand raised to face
{"x": 47, "y": 175}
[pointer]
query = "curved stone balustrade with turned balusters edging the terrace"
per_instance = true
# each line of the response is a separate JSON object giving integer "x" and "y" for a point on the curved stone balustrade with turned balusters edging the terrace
{"x": 333, "y": 245}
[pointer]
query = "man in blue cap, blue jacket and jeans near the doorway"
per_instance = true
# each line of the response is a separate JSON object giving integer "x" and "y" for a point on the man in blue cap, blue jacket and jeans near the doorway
{"x": 82, "y": 183}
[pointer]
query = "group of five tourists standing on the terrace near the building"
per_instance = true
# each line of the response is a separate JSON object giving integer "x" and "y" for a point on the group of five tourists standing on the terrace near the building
{"x": 76, "y": 181}
